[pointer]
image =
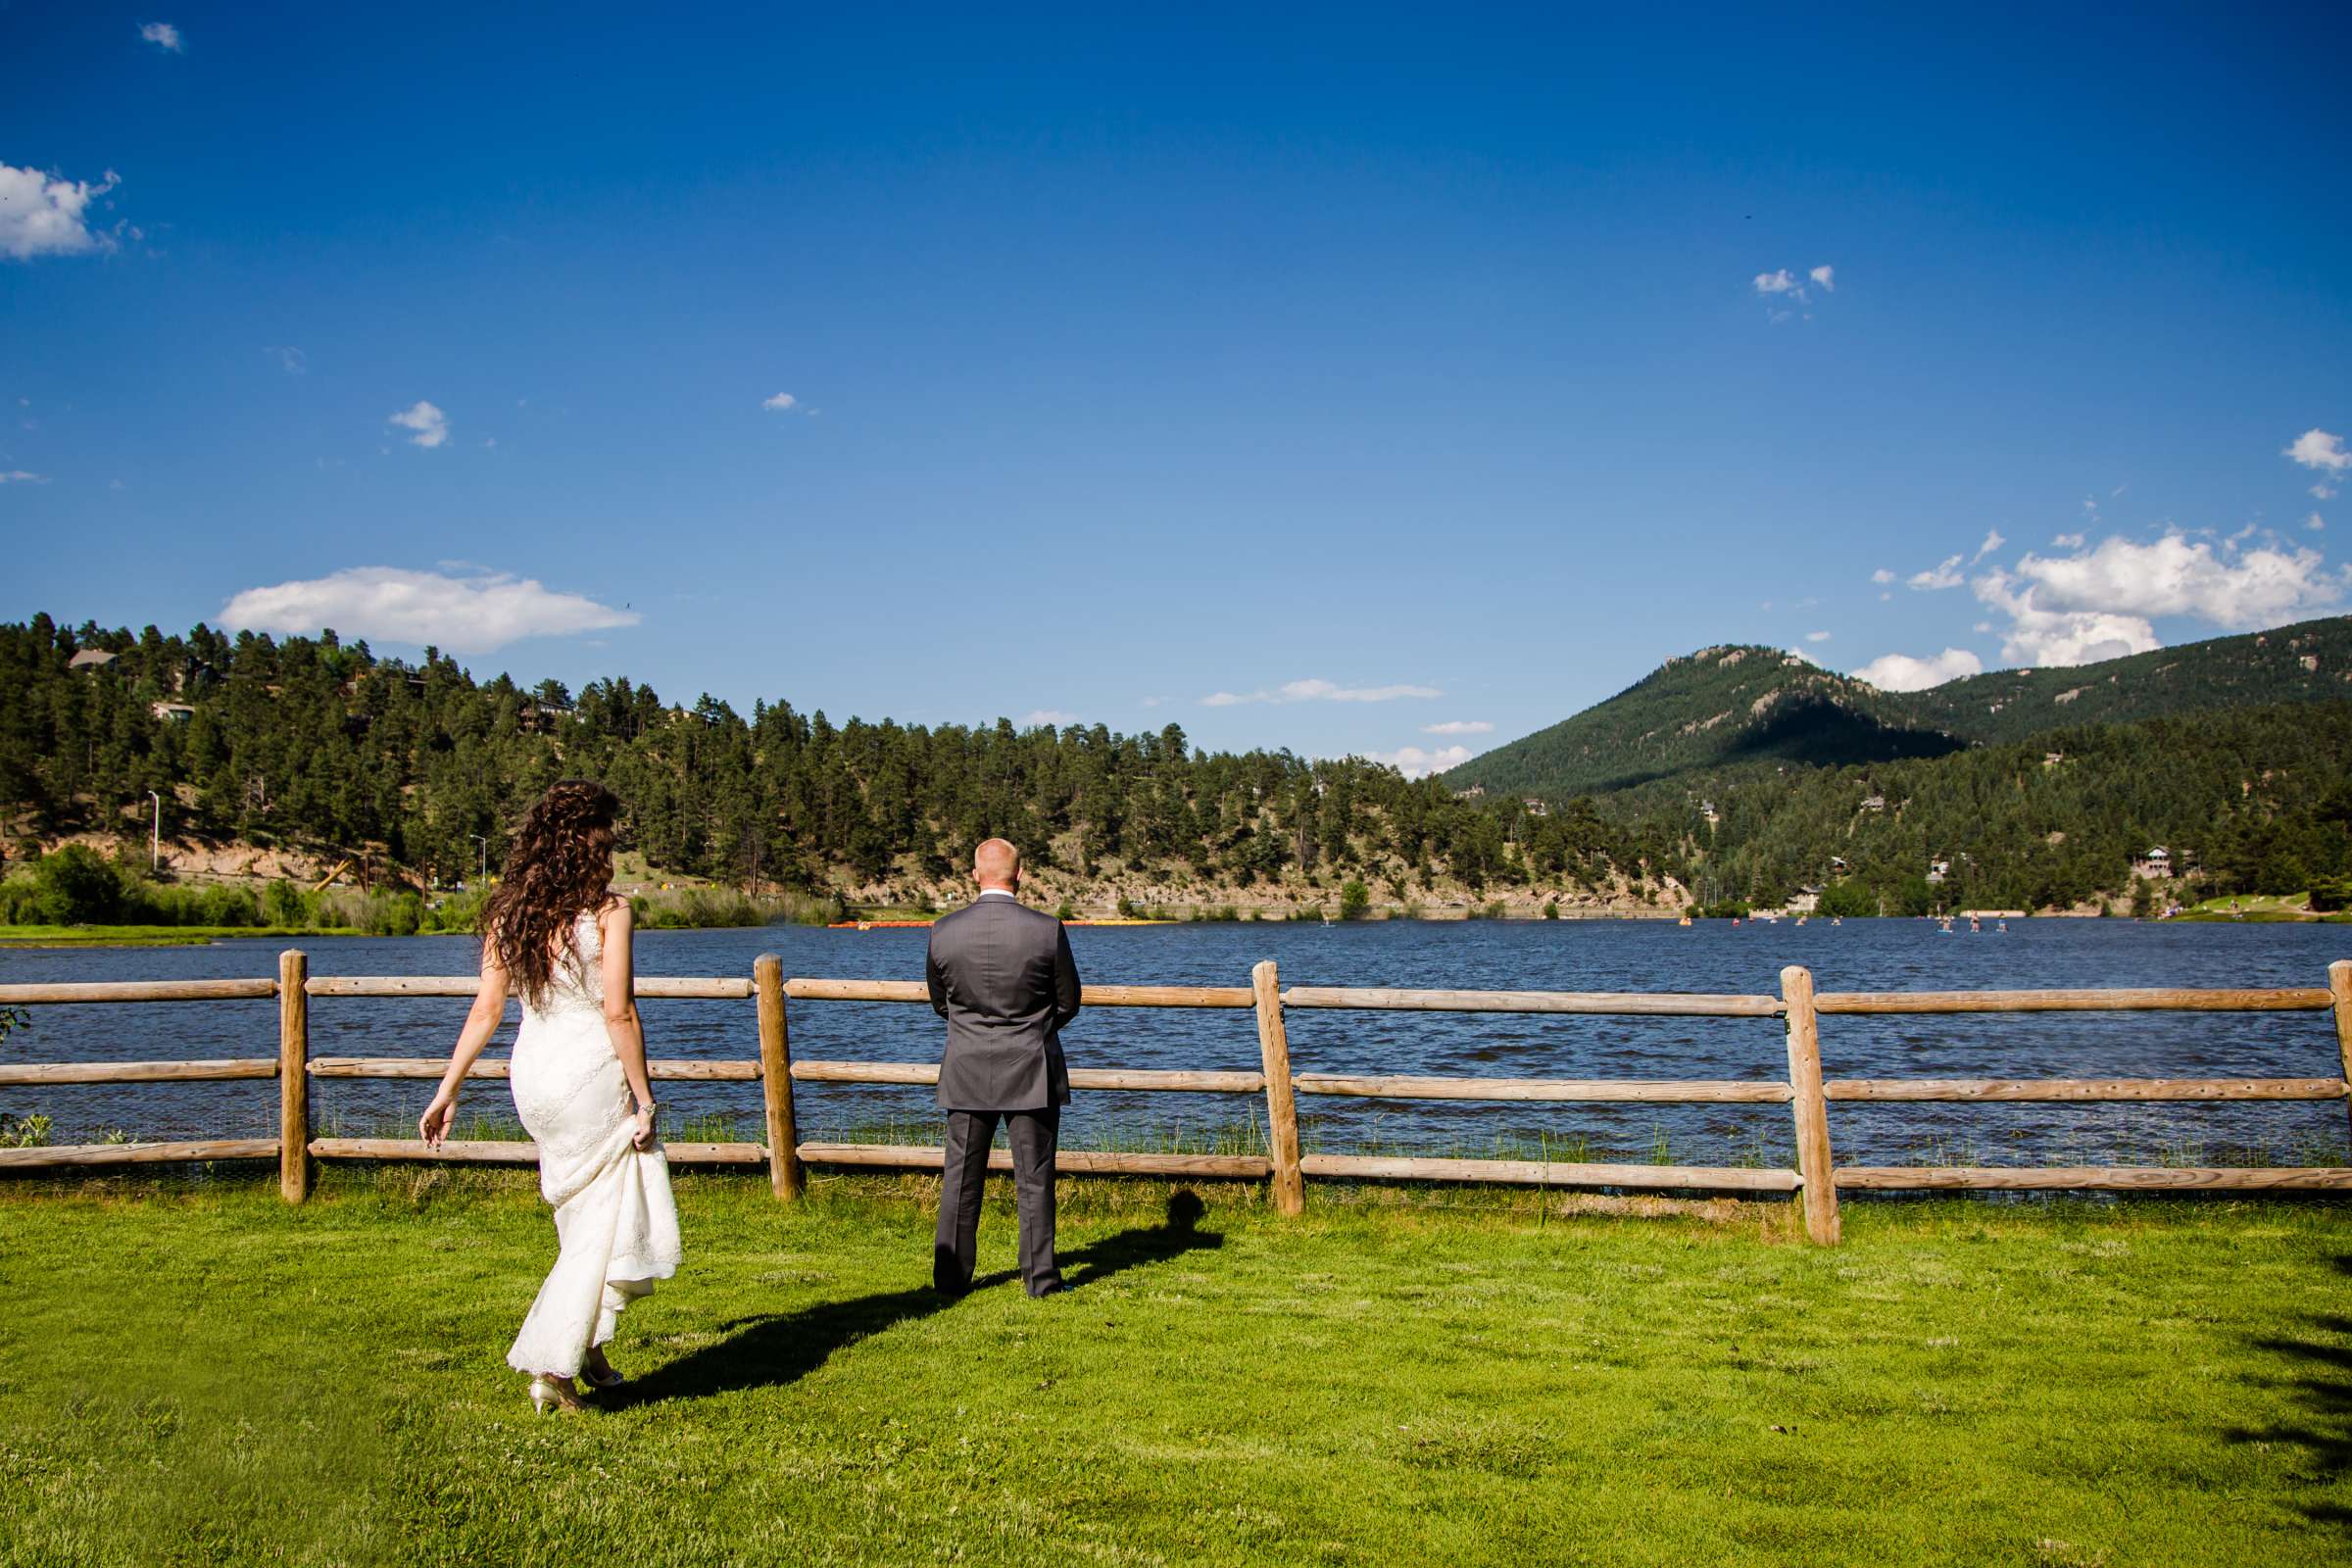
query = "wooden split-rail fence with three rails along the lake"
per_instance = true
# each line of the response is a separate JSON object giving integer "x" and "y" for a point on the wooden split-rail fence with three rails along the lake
{"x": 1815, "y": 1181}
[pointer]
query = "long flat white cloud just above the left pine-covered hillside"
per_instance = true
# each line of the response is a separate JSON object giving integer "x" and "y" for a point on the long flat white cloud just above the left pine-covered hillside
{"x": 465, "y": 615}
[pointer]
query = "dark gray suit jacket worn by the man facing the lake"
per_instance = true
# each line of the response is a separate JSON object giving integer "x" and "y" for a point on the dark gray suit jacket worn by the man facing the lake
{"x": 1005, "y": 981}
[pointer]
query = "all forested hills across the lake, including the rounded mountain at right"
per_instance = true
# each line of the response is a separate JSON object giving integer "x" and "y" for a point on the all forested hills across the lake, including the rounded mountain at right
{"x": 1739, "y": 775}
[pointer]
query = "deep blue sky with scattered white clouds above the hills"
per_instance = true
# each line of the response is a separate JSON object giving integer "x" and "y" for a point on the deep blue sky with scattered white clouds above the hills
{"x": 1347, "y": 382}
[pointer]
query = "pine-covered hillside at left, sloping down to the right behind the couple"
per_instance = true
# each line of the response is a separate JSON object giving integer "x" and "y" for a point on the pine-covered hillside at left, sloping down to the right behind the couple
{"x": 309, "y": 742}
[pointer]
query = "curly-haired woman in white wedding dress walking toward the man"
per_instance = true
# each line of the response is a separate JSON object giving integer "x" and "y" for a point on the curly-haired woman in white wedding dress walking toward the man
{"x": 556, "y": 937}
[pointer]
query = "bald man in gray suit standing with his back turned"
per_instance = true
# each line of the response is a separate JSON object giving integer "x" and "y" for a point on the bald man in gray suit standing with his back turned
{"x": 1003, "y": 979}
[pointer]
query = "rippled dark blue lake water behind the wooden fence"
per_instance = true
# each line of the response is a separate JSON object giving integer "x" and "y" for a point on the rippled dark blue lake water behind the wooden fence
{"x": 1478, "y": 956}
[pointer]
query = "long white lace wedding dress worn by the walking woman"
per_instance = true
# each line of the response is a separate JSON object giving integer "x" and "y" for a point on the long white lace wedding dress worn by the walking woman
{"x": 615, "y": 1224}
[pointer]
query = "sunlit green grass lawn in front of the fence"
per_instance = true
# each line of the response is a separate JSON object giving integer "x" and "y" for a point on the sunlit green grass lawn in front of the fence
{"x": 208, "y": 1376}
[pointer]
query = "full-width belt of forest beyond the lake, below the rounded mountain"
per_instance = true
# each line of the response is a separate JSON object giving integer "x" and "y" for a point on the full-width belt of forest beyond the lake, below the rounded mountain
{"x": 321, "y": 758}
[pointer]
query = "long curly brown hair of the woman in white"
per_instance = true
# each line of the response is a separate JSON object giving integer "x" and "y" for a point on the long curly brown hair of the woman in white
{"x": 556, "y": 869}
